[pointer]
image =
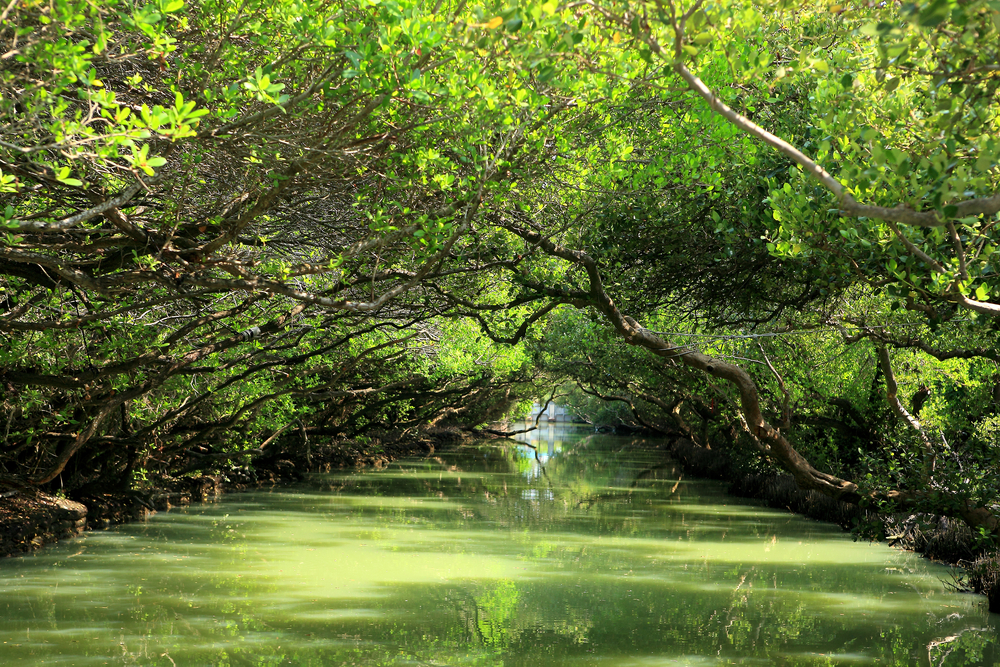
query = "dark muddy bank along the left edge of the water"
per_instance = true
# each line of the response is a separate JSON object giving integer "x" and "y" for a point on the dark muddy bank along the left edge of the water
{"x": 30, "y": 519}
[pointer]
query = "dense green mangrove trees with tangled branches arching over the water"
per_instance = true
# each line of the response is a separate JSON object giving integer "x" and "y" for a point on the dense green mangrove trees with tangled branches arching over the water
{"x": 238, "y": 226}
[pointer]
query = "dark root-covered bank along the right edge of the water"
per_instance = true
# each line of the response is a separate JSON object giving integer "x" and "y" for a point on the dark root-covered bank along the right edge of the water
{"x": 939, "y": 538}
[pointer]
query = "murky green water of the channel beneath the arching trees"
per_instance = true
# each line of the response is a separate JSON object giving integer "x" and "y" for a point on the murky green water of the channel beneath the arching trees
{"x": 587, "y": 554}
